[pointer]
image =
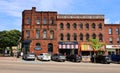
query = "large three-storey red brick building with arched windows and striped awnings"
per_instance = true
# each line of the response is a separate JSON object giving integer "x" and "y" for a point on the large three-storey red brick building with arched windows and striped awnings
{"x": 51, "y": 32}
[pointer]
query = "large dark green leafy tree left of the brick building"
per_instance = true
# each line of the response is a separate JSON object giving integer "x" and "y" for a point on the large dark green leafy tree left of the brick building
{"x": 9, "y": 38}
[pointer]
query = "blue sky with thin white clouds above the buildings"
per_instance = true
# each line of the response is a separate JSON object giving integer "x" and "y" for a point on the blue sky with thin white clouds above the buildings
{"x": 11, "y": 10}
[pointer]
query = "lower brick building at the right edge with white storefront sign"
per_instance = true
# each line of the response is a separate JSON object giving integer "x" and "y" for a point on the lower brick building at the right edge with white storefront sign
{"x": 112, "y": 38}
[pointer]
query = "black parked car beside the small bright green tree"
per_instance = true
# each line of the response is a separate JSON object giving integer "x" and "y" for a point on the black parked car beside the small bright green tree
{"x": 101, "y": 59}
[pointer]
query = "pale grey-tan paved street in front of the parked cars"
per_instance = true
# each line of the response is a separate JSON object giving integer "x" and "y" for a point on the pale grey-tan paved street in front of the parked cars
{"x": 56, "y": 67}
